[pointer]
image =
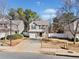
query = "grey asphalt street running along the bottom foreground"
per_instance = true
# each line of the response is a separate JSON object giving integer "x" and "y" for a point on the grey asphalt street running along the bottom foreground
{"x": 26, "y": 55}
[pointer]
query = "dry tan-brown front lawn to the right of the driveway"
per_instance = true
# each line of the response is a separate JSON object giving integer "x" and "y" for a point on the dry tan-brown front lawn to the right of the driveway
{"x": 60, "y": 44}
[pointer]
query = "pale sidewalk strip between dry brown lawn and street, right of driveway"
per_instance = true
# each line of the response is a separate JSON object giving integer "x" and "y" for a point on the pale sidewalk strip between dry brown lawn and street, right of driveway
{"x": 59, "y": 52}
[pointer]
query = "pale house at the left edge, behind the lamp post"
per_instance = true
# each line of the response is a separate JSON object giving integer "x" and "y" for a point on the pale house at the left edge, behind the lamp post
{"x": 9, "y": 28}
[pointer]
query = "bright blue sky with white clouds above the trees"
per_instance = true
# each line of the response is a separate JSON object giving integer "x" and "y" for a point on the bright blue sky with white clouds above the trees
{"x": 45, "y": 8}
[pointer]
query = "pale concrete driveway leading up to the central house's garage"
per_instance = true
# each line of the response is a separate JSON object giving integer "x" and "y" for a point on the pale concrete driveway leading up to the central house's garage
{"x": 27, "y": 45}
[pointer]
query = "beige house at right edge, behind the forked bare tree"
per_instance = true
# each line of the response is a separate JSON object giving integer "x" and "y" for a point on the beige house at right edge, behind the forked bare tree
{"x": 69, "y": 29}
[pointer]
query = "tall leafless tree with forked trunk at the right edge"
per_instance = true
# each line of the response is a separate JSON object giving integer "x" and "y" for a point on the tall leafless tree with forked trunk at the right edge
{"x": 68, "y": 7}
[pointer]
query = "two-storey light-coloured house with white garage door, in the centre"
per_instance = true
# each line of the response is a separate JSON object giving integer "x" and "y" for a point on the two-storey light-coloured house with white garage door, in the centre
{"x": 38, "y": 29}
